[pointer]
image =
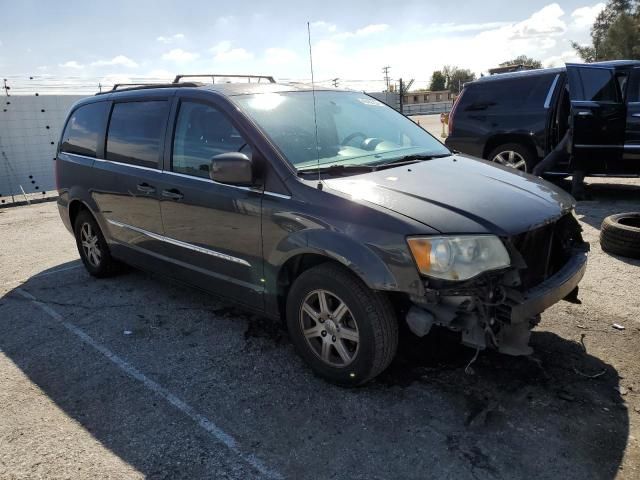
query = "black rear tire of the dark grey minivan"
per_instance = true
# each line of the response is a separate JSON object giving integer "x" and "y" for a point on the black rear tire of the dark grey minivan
{"x": 106, "y": 265}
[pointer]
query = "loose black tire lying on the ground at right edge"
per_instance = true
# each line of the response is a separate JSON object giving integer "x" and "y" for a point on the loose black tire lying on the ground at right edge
{"x": 620, "y": 234}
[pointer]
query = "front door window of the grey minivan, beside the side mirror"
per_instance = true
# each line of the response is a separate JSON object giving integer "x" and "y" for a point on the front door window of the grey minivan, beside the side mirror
{"x": 202, "y": 132}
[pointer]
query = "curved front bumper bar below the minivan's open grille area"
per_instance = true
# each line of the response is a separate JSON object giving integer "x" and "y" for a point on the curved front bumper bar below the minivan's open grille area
{"x": 552, "y": 290}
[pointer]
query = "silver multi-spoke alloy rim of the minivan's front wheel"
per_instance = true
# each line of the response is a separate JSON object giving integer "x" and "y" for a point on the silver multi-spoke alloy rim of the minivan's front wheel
{"x": 329, "y": 328}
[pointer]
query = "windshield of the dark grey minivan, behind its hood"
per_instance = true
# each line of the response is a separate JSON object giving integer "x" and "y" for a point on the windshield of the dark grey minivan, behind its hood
{"x": 353, "y": 129}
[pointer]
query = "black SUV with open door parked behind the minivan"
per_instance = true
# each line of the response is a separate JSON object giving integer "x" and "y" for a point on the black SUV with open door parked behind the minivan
{"x": 515, "y": 119}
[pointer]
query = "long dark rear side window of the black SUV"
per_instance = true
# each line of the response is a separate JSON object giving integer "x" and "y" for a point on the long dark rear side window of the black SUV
{"x": 528, "y": 92}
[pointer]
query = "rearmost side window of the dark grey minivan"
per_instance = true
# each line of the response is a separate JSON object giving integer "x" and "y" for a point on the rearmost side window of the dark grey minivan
{"x": 84, "y": 129}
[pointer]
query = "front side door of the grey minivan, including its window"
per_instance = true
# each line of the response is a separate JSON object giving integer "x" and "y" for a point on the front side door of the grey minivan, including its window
{"x": 212, "y": 230}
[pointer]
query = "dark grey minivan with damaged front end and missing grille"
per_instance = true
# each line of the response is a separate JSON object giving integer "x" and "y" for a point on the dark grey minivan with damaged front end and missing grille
{"x": 326, "y": 209}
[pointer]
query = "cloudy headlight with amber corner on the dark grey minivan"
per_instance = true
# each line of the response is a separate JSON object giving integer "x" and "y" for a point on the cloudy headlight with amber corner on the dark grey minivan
{"x": 458, "y": 257}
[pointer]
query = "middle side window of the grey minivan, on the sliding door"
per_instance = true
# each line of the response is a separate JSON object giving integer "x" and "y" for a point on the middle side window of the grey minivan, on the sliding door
{"x": 135, "y": 132}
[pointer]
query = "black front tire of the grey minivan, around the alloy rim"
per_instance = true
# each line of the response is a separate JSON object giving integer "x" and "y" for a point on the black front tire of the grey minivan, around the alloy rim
{"x": 371, "y": 311}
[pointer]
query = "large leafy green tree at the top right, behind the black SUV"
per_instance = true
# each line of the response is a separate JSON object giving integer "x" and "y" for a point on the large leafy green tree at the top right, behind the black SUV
{"x": 615, "y": 34}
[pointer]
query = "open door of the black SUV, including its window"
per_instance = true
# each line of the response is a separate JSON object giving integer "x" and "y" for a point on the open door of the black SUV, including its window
{"x": 598, "y": 116}
